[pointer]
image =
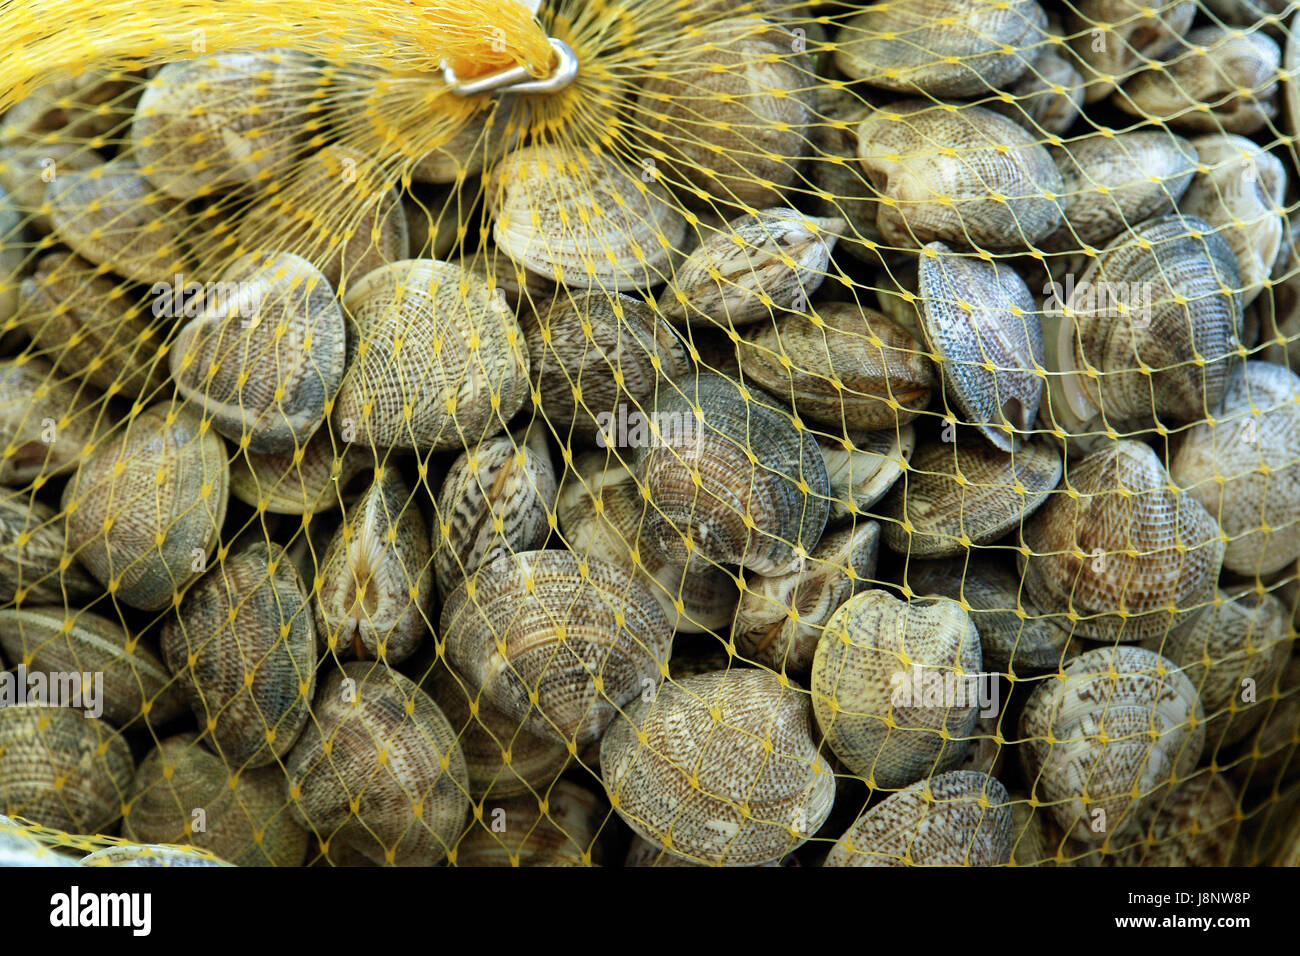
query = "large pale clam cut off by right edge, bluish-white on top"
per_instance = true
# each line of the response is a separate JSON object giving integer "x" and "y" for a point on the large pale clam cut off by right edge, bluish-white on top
{"x": 1243, "y": 469}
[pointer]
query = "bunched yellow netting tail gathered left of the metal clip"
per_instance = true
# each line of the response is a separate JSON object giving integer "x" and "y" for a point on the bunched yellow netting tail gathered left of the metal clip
{"x": 51, "y": 40}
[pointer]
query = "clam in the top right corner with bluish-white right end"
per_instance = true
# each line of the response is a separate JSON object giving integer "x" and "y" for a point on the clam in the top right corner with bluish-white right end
{"x": 1224, "y": 81}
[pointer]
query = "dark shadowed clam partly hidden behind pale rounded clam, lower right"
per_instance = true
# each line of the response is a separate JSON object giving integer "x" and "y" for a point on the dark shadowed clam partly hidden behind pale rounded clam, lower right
{"x": 1016, "y": 635}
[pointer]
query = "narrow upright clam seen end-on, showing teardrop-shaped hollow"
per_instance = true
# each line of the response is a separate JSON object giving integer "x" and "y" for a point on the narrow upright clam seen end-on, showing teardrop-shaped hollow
{"x": 375, "y": 587}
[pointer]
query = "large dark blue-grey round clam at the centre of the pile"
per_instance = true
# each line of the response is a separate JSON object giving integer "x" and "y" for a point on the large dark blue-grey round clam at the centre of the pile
{"x": 714, "y": 496}
